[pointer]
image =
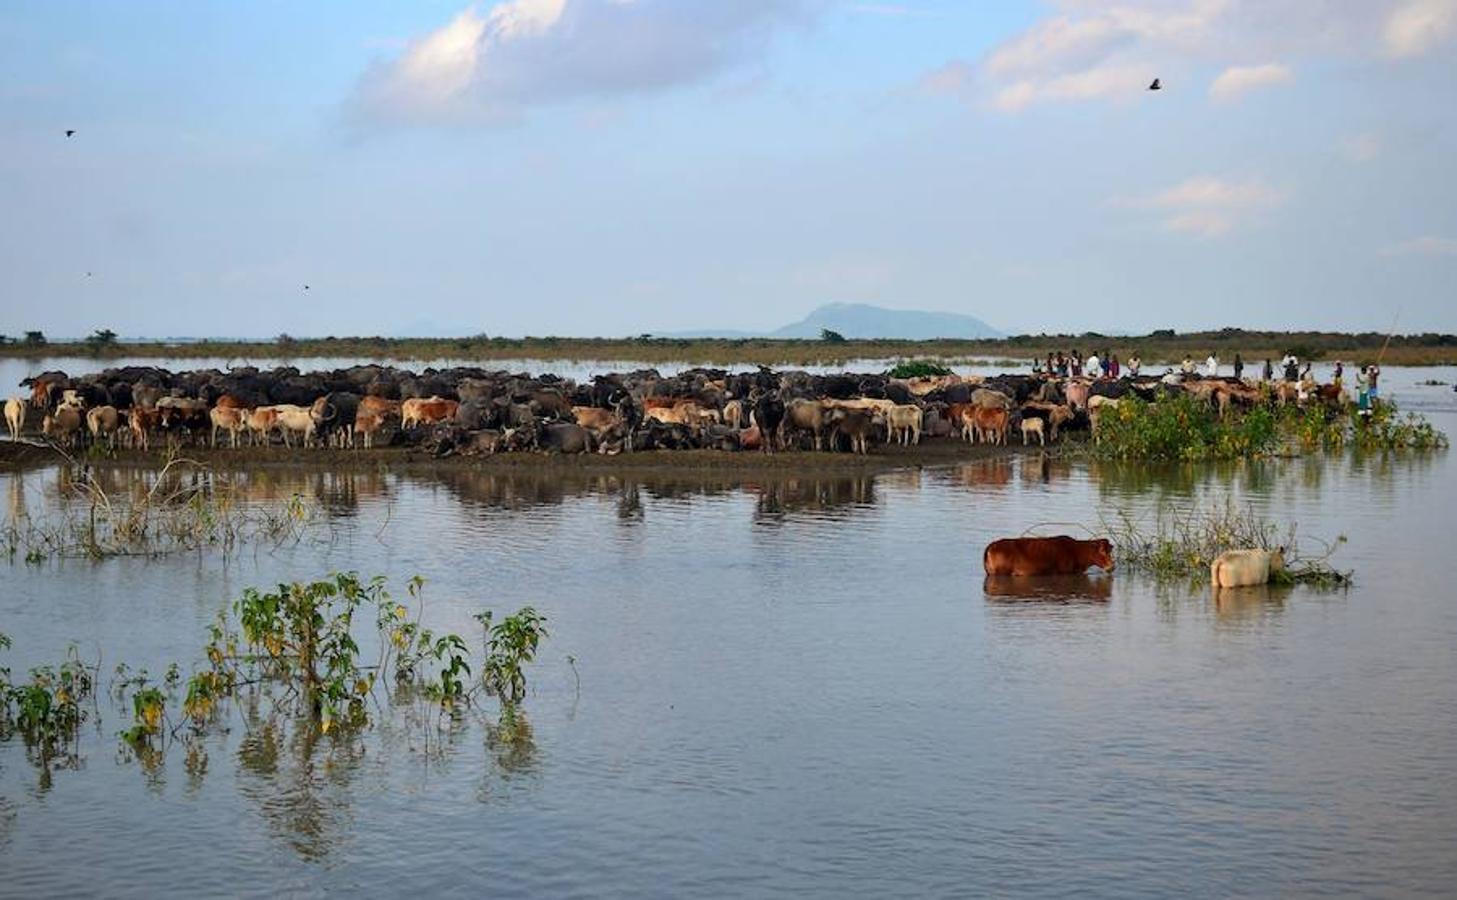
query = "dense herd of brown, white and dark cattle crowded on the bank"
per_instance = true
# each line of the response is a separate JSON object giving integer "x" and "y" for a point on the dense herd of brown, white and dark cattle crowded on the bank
{"x": 474, "y": 411}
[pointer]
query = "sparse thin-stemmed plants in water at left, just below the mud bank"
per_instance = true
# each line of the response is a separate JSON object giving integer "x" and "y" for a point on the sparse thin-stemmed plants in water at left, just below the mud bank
{"x": 186, "y": 506}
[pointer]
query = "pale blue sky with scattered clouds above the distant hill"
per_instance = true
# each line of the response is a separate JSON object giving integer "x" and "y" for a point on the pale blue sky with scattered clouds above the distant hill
{"x": 608, "y": 168}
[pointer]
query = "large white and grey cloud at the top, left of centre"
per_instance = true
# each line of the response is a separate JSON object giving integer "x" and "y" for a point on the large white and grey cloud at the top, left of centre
{"x": 486, "y": 68}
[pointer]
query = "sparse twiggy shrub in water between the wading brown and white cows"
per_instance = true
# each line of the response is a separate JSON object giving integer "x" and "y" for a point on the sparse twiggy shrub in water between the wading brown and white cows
{"x": 1182, "y": 544}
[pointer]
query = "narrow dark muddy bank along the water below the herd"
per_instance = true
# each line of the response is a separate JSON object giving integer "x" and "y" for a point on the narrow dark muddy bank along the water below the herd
{"x": 938, "y": 452}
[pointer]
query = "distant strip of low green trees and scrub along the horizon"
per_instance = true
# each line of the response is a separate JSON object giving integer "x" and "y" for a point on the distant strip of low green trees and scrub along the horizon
{"x": 1156, "y": 349}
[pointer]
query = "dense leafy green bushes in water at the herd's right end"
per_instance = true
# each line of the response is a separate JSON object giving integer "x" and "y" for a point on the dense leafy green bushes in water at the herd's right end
{"x": 1188, "y": 429}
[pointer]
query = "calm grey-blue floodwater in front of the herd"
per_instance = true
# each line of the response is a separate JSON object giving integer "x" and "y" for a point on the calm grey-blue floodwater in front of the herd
{"x": 795, "y": 687}
